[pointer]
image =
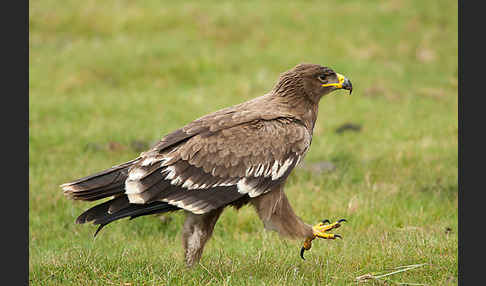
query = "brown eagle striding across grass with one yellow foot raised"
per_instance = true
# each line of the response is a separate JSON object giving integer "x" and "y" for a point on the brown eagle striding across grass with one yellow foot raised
{"x": 235, "y": 156}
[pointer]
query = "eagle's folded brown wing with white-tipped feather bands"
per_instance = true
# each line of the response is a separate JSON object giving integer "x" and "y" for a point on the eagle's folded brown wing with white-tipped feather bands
{"x": 219, "y": 159}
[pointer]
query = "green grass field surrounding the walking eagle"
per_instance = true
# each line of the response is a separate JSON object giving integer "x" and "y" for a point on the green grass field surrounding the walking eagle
{"x": 106, "y": 74}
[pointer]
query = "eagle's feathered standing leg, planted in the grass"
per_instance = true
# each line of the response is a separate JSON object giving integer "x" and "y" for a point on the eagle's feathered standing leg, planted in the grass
{"x": 197, "y": 230}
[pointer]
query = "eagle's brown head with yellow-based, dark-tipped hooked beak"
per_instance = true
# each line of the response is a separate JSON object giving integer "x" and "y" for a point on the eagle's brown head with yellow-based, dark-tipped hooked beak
{"x": 312, "y": 81}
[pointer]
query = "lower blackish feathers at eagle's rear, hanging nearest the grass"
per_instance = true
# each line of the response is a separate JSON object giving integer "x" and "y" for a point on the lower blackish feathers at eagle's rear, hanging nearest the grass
{"x": 120, "y": 207}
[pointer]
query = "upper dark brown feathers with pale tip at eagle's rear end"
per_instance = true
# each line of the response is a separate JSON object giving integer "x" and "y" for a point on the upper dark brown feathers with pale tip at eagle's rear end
{"x": 100, "y": 185}
